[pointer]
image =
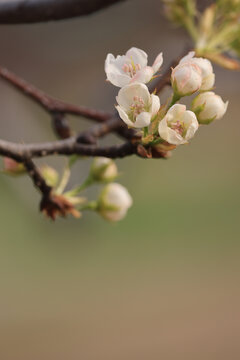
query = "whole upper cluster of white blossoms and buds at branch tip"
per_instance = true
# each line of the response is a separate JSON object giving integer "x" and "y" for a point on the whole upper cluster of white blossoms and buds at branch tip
{"x": 139, "y": 109}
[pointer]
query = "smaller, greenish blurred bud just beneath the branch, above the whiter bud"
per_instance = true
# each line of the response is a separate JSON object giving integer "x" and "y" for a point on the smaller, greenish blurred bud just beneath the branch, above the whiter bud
{"x": 103, "y": 169}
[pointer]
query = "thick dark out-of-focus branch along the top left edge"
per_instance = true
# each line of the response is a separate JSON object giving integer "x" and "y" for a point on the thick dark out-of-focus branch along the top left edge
{"x": 33, "y": 11}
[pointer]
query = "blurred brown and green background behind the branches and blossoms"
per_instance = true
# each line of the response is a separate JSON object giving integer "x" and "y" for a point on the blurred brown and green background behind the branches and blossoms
{"x": 164, "y": 282}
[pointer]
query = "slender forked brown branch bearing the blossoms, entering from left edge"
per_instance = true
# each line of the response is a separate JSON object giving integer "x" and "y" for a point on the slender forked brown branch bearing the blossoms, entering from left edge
{"x": 85, "y": 143}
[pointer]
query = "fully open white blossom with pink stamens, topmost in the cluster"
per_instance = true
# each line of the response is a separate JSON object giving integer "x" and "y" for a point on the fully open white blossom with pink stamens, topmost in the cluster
{"x": 131, "y": 67}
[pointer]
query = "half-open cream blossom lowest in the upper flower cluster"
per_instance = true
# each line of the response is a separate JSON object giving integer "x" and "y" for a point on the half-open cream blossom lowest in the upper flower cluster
{"x": 178, "y": 125}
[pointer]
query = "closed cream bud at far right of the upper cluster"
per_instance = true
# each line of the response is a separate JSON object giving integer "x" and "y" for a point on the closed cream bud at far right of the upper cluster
{"x": 208, "y": 107}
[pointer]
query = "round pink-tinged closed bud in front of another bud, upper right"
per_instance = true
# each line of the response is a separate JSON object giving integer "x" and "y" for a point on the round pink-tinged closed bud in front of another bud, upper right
{"x": 186, "y": 79}
